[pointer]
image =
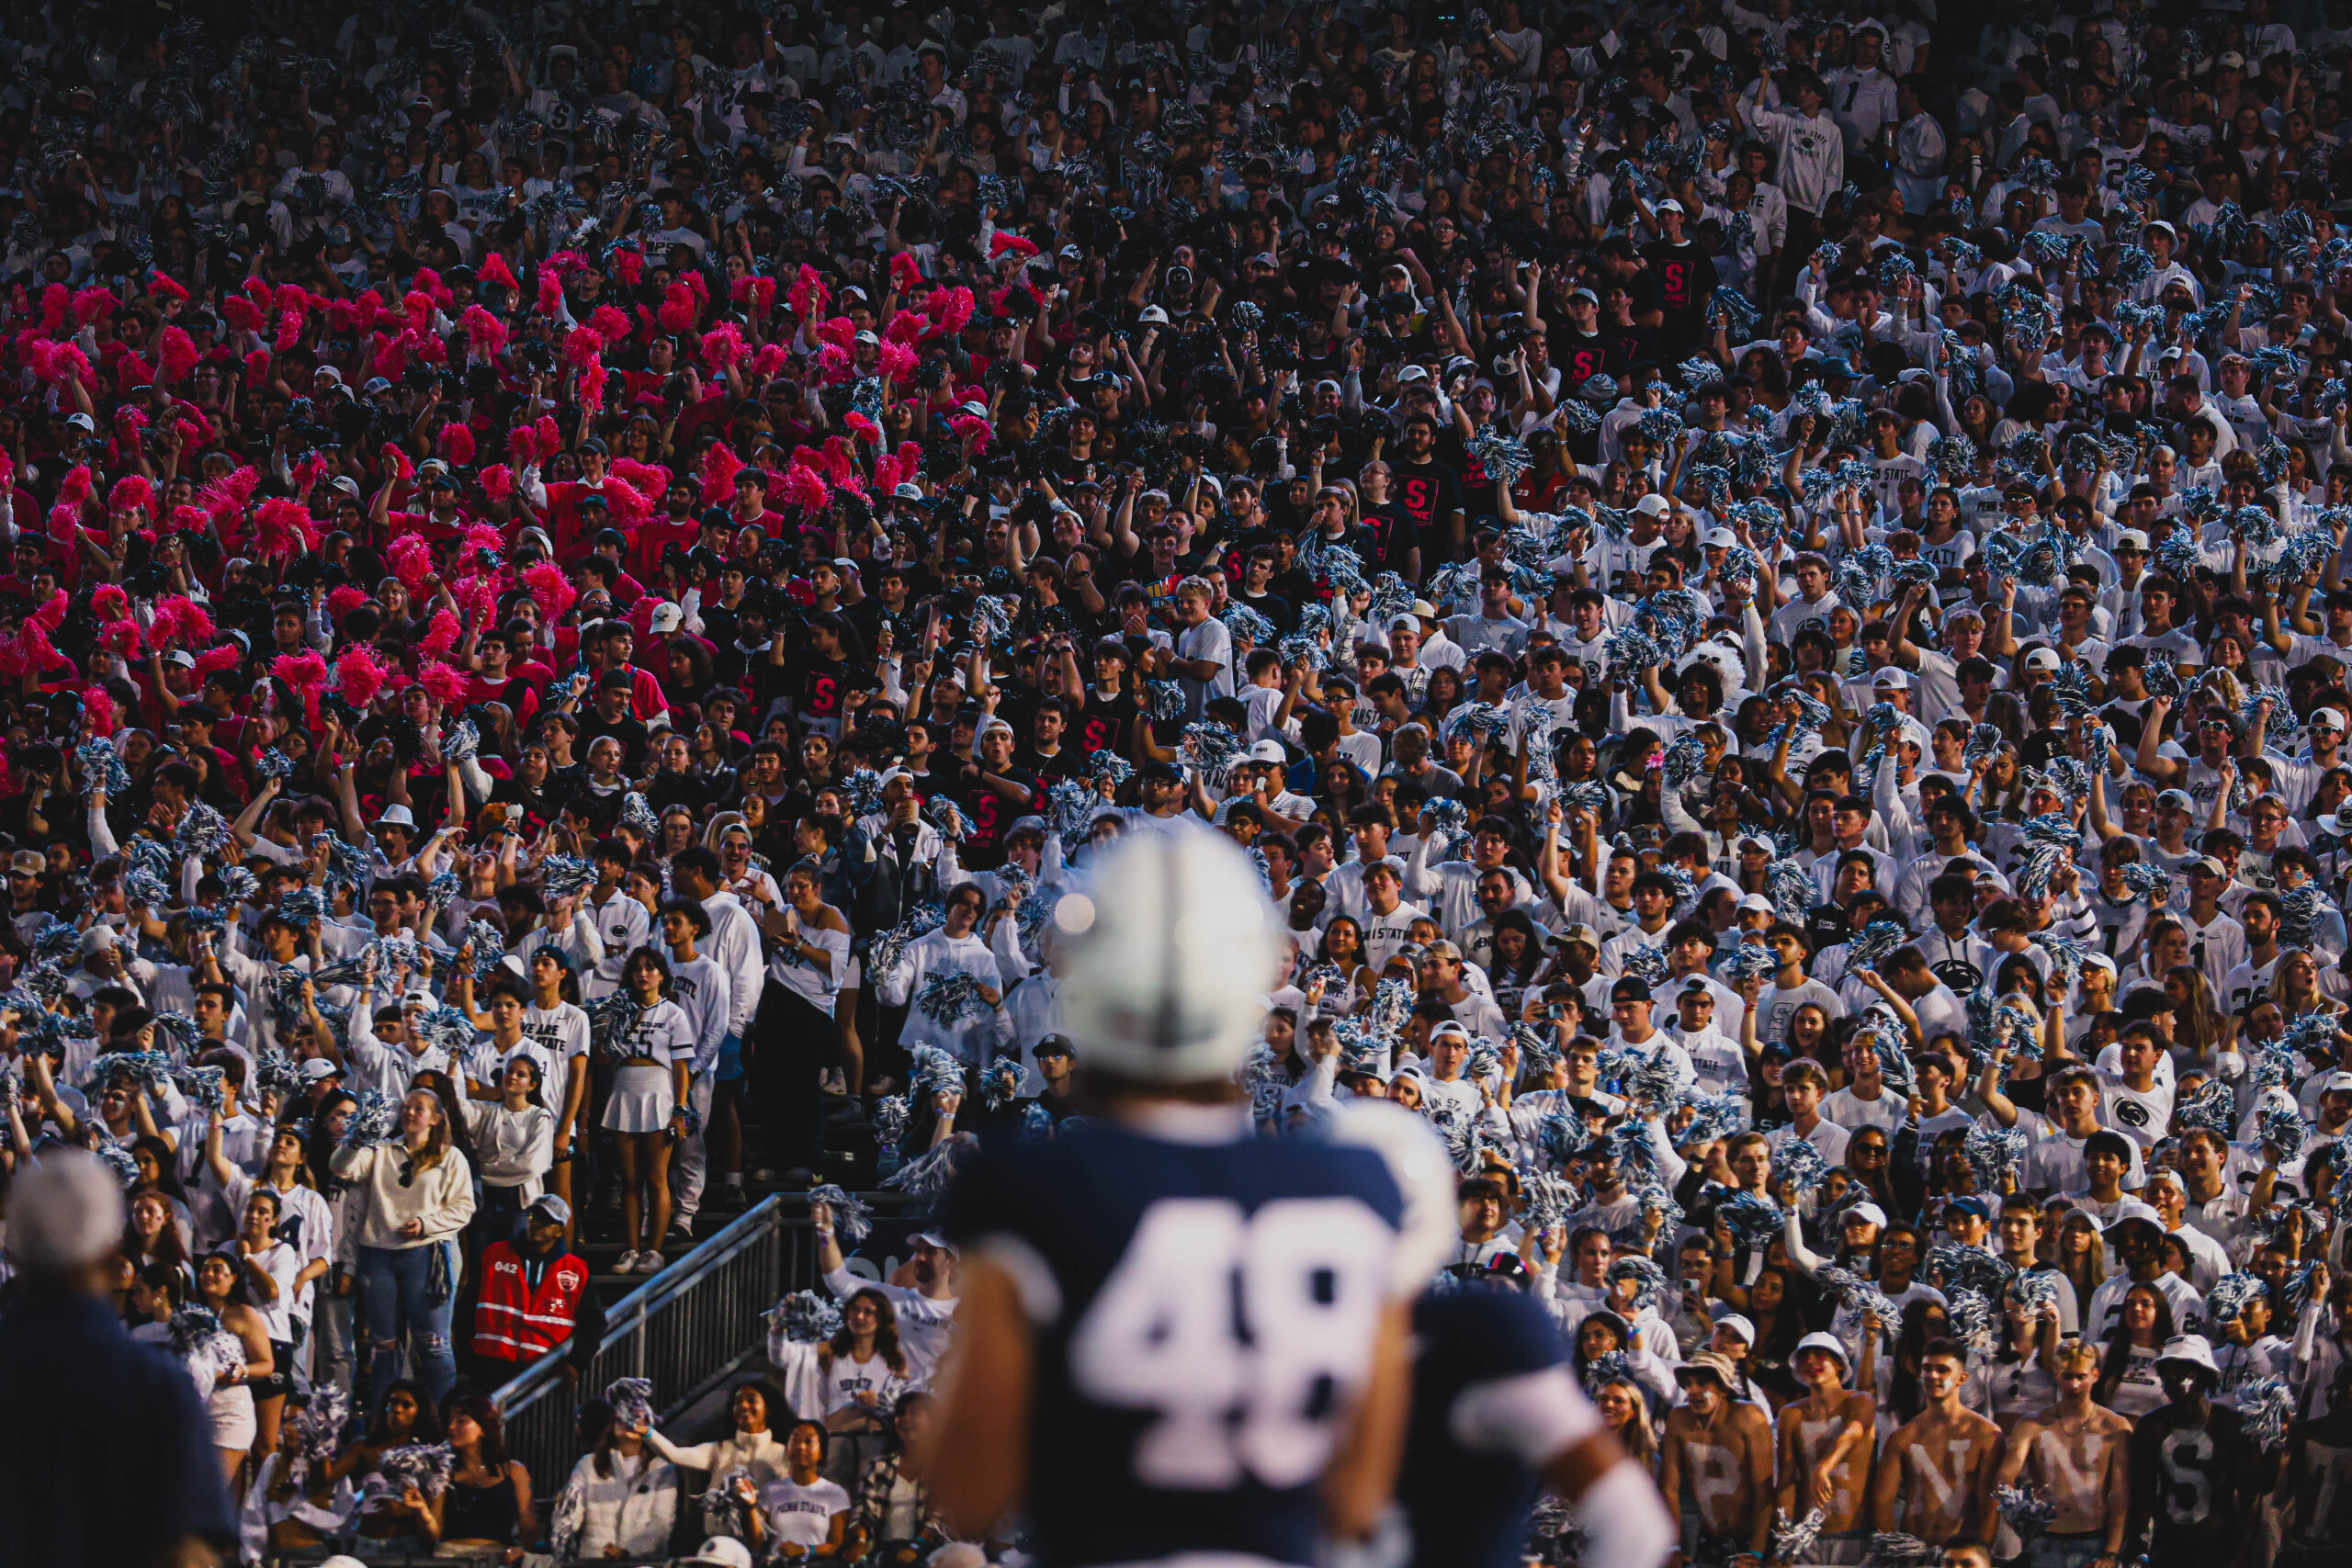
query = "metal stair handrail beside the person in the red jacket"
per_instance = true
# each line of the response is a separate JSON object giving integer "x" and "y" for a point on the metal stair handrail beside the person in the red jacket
{"x": 707, "y": 1311}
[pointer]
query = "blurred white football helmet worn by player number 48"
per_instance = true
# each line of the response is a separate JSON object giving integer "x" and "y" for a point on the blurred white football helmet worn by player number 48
{"x": 1172, "y": 949}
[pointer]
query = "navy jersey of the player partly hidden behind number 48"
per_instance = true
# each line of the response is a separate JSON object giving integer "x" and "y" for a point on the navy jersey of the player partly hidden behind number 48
{"x": 1495, "y": 1402}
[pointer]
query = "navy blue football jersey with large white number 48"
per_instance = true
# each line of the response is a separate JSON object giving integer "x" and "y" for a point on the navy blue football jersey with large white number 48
{"x": 1203, "y": 1315}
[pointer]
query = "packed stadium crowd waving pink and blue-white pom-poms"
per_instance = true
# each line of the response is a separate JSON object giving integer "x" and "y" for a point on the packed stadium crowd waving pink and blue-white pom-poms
{"x": 1763, "y": 587}
